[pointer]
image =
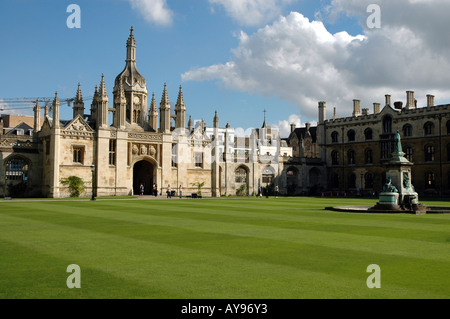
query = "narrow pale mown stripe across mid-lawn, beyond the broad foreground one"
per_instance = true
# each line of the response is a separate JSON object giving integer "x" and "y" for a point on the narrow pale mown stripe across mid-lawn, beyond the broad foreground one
{"x": 358, "y": 242}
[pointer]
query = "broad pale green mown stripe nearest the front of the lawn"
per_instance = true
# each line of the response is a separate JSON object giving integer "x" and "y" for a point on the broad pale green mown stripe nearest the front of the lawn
{"x": 186, "y": 272}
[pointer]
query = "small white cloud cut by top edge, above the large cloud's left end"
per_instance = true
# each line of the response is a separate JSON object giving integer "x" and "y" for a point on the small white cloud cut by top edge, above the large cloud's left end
{"x": 252, "y": 12}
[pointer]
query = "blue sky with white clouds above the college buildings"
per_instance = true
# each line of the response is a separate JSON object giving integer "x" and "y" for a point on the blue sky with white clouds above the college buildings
{"x": 239, "y": 57}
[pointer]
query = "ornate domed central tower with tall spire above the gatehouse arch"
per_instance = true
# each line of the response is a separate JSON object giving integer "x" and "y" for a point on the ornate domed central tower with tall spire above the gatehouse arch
{"x": 134, "y": 85}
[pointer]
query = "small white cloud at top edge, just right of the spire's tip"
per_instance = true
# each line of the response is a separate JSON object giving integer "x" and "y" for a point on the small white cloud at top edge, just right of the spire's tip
{"x": 154, "y": 11}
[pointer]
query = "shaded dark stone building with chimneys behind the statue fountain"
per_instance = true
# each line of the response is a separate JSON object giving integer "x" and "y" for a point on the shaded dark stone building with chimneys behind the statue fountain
{"x": 356, "y": 149}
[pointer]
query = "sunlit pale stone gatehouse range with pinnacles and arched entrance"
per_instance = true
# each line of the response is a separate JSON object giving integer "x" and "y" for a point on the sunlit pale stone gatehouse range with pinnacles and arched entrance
{"x": 140, "y": 146}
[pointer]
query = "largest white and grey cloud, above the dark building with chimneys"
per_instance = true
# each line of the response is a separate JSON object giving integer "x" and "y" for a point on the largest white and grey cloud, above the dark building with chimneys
{"x": 300, "y": 61}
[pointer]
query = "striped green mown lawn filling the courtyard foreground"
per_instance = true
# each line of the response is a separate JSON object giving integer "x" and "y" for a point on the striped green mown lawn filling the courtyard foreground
{"x": 288, "y": 248}
